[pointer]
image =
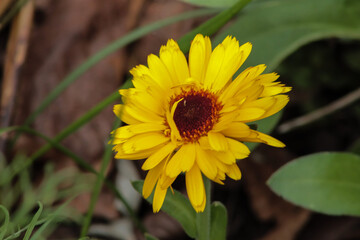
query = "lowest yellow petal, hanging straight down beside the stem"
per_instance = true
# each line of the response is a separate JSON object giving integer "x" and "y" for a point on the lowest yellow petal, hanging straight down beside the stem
{"x": 195, "y": 188}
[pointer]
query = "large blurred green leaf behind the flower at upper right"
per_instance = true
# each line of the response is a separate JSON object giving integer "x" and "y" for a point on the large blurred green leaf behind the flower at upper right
{"x": 278, "y": 28}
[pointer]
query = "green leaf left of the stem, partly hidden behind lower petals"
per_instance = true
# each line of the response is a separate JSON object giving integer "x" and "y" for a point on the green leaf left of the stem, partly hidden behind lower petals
{"x": 177, "y": 206}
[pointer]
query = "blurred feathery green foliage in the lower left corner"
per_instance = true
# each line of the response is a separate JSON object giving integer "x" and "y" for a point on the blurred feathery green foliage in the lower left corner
{"x": 21, "y": 196}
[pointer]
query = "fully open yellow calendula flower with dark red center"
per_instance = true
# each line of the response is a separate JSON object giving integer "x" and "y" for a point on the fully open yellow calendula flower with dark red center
{"x": 190, "y": 117}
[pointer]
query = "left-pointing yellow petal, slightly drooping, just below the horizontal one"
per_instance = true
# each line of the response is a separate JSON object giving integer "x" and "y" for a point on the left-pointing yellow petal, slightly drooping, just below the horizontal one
{"x": 144, "y": 141}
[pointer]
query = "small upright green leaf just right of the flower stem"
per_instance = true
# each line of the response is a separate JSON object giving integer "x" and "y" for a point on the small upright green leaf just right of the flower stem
{"x": 218, "y": 221}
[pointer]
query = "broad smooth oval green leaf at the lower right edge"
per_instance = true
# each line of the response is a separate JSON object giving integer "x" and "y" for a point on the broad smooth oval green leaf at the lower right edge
{"x": 326, "y": 182}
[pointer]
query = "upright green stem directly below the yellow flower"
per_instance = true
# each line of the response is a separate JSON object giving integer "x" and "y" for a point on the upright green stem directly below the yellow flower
{"x": 203, "y": 219}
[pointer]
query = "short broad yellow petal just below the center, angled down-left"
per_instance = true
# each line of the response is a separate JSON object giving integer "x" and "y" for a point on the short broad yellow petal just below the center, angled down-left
{"x": 182, "y": 161}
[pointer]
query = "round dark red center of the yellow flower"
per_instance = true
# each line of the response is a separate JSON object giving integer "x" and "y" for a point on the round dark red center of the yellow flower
{"x": 196, "y": 114}
